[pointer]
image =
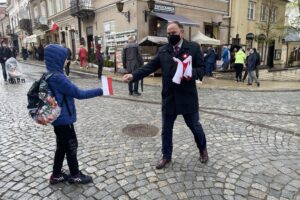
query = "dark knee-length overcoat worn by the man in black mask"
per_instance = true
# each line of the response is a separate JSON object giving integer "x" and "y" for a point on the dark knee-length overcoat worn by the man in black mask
{"x": 176, "y": 99}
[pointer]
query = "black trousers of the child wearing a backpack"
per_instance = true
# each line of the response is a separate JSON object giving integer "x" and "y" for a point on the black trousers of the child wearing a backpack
{"x": 66, "y": 144}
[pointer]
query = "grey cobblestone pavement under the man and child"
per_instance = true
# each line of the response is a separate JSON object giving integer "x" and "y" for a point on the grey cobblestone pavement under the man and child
{"x": 253, "y": 142}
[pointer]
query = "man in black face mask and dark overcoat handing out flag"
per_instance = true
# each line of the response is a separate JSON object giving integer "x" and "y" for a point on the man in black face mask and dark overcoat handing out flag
{"x": 177, "y": 99}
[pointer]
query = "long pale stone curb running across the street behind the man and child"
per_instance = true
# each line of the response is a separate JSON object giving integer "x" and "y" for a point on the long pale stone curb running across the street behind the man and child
{"x": 153, "y": 85}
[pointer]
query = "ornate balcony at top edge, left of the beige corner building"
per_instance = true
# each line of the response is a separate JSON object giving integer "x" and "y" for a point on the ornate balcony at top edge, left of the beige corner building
{"x": 82, "y": 8}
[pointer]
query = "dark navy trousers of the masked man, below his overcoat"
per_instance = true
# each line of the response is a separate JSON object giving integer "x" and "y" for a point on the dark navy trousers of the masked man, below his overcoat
{"x": 192, "y": 121}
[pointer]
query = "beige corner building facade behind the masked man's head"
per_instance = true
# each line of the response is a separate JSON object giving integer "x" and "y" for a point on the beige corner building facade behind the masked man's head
{"x": 111, "y": 28}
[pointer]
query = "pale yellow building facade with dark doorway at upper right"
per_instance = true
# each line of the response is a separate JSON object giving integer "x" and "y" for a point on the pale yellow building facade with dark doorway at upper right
{"x": 249, "y": 27}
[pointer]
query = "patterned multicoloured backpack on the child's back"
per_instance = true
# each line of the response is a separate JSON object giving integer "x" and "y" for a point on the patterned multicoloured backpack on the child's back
{"x": 42, "y": 106}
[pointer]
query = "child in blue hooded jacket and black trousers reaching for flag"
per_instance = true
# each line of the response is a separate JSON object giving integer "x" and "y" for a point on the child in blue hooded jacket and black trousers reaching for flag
{"x": 65, "y": 92}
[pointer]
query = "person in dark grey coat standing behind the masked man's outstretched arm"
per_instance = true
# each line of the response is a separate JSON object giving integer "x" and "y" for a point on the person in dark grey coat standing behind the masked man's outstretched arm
{"x": 132, "y": 60}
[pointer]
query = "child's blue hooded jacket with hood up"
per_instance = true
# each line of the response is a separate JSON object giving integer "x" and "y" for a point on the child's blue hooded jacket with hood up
{"x": 61, "y": 86}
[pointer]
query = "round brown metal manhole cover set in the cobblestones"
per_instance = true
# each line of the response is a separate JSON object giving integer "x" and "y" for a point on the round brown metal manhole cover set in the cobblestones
{"x": 140, "y": 130}
